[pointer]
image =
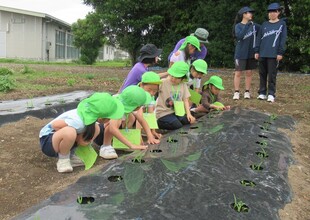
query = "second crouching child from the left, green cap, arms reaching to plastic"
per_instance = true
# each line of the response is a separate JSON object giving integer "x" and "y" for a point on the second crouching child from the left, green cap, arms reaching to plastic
{"x": 133, "y": 97}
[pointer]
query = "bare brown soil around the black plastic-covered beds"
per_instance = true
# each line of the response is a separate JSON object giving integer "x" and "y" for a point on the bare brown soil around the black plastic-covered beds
{"x": 27, "y": 176}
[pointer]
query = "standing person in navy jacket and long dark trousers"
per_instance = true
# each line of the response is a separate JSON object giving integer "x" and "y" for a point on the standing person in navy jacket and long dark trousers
{"x": 269, "y": 51}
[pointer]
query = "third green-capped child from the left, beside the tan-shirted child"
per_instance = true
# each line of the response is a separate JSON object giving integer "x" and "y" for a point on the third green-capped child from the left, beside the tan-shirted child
{"x": 150, "y": 83}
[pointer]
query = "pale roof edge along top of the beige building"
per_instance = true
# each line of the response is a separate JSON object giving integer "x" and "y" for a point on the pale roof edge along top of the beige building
{"x": 35, "y": 14}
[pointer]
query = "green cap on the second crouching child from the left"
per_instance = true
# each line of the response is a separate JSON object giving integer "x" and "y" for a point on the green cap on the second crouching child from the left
{"x": 133, "y": 97}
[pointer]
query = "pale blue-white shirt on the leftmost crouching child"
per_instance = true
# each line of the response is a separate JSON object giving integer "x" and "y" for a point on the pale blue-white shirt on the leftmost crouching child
{"x": 71, "y": 118}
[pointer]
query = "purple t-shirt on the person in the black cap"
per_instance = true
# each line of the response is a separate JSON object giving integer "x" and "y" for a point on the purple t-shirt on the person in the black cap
{"x": 134, "y": 76}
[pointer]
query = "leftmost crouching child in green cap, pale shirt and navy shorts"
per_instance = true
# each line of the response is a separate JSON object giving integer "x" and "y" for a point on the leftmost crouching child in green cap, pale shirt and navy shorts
{"x": 78, "y": 127}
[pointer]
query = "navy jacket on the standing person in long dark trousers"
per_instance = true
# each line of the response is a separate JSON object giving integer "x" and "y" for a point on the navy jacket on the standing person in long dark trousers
{"x": 271, "y": 39}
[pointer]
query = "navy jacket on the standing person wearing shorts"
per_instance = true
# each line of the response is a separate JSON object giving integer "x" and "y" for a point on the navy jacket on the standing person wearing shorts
{"x": 246, "y": 35}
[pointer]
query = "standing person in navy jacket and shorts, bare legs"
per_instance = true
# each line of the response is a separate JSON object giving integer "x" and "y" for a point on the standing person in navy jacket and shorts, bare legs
{"x": 245, "y": 33}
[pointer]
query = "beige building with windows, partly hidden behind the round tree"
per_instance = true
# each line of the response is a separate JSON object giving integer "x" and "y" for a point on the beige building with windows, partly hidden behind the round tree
{"x": 38, "y": 36}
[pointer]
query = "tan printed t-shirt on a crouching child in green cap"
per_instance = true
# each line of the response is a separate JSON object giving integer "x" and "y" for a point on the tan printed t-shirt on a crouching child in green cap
{"x": 167, "y": 94}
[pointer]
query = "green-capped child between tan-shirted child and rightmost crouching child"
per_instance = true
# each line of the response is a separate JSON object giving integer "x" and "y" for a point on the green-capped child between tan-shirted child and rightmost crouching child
{"x": 197, "y": 70}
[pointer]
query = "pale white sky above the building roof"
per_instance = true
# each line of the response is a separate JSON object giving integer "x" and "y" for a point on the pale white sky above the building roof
{"x": 66, "y": 10}
